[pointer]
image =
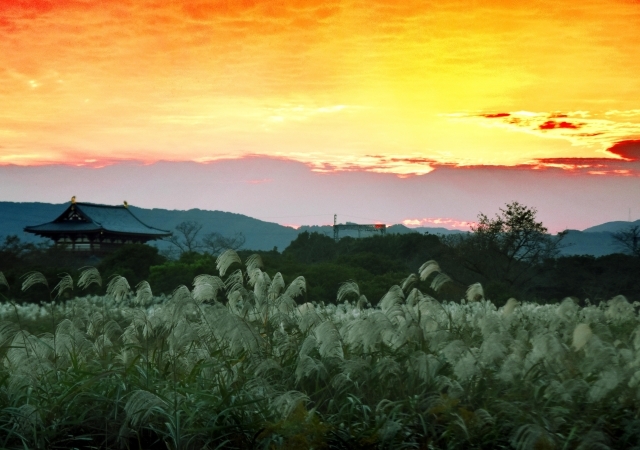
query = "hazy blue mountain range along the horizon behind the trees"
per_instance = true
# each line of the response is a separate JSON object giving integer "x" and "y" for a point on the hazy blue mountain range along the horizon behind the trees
{"x": 261, "y": 235}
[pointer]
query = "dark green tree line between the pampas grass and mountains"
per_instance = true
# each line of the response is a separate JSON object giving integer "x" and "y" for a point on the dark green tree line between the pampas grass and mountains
{"x": 511, "y": 255}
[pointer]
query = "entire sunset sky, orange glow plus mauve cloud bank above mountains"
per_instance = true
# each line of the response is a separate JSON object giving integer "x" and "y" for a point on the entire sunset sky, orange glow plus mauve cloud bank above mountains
{"x": 410, "y": 112}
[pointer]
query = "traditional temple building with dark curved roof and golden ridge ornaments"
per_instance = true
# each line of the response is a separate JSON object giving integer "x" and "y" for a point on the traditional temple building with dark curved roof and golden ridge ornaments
{"x": 97, "y": 228}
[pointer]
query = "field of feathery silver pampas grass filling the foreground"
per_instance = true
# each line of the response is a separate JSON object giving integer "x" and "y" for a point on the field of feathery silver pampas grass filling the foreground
{"x": 238, "y": 361}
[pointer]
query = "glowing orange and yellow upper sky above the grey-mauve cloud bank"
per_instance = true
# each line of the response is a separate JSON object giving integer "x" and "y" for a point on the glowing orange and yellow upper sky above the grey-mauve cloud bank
{"x": 376, "y": 85}
